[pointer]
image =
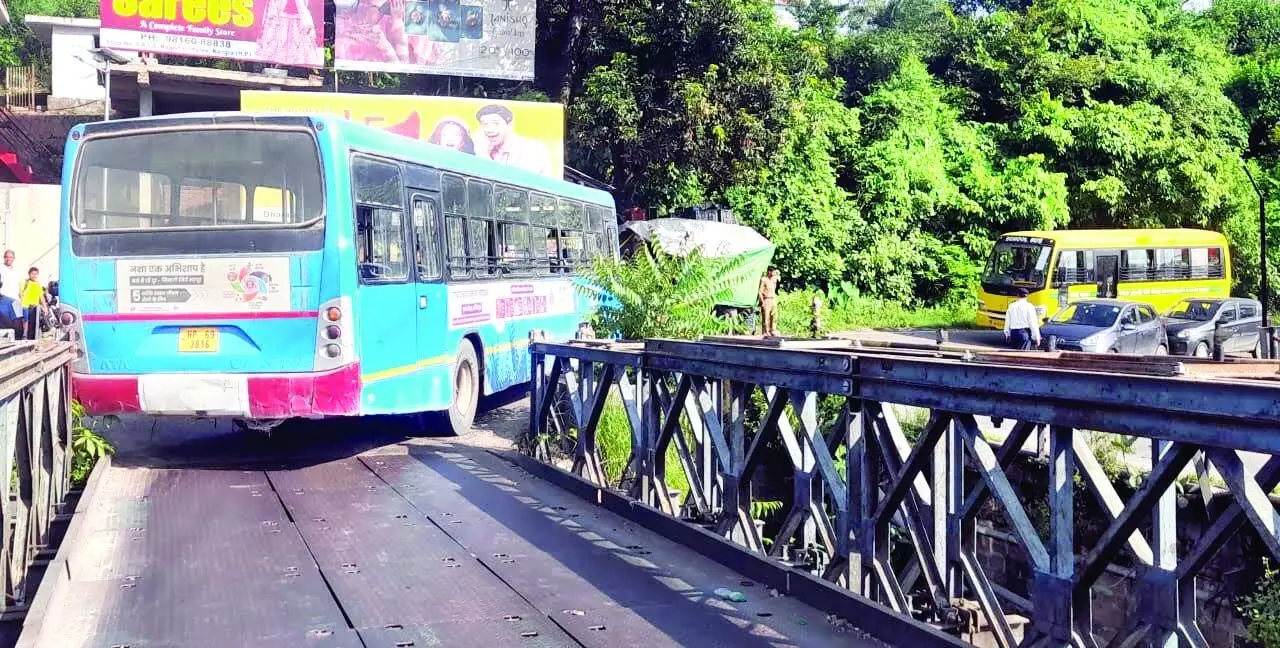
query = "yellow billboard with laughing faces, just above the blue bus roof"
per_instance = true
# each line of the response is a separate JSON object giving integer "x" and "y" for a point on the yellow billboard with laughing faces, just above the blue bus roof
{"x": 523, "y": 134}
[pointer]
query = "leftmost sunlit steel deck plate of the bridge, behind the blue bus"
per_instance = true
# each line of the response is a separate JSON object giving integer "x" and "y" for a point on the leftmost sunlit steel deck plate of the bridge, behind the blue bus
{"x": 211, "y": 560}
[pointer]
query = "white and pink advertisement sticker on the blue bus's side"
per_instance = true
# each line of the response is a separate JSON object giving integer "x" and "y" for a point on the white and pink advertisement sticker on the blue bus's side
{"x": 499, "y": 303}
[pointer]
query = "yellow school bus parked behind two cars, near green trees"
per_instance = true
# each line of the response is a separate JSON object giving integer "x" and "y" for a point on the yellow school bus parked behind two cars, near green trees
{"x": 1156, "y": 267}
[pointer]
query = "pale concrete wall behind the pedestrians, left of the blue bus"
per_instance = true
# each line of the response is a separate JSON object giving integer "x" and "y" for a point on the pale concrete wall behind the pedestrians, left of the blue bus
{"x": 29, "y": 226}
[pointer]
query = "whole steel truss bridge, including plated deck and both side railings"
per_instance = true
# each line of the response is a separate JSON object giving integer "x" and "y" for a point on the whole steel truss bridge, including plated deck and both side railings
{"x": 397, "y": 544}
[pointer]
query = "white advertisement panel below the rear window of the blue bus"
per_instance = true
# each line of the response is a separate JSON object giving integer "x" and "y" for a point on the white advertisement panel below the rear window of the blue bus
{"x": 203, "y": 286}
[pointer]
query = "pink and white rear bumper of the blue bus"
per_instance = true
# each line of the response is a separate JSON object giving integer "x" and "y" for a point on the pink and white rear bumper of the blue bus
{"x": 254, "y": 396}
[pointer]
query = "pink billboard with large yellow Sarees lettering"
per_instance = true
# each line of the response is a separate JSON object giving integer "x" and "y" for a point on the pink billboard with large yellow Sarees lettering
{"x": 286, "y": 33}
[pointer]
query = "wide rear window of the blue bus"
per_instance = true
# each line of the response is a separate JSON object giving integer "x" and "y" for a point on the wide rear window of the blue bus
{"x": 198, "y": 180}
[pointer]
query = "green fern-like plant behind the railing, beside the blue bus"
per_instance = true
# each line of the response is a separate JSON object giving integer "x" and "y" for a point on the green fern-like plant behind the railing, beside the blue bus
{"x": 657, "y": 295}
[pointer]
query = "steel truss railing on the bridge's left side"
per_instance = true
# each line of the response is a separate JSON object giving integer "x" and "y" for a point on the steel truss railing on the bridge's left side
{"x": 36, "y": 457}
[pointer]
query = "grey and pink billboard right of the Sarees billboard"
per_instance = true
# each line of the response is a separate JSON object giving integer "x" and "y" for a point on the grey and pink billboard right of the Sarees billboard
{"x": 491, "y": 39}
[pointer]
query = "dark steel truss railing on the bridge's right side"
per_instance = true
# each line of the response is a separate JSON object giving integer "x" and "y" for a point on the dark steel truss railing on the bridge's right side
{"x": 889, "y": 515}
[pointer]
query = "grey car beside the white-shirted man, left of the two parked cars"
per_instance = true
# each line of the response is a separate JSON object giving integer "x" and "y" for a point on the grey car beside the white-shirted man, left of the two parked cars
{"x": 1108, "y": 327}
